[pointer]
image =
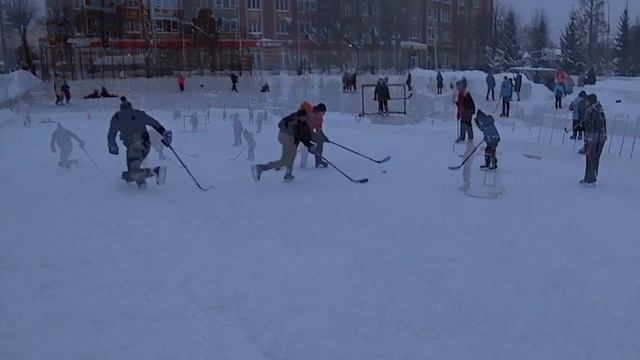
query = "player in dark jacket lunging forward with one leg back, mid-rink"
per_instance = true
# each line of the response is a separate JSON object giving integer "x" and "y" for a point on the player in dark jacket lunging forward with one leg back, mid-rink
{"x": 294, "y": 129}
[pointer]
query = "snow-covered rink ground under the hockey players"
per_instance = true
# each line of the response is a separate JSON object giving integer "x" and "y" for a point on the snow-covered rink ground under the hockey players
{"x": 404, "y": 267}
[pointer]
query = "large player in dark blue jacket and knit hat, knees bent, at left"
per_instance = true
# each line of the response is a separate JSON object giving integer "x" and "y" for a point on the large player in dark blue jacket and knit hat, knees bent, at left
{"x": 131, "y": 124}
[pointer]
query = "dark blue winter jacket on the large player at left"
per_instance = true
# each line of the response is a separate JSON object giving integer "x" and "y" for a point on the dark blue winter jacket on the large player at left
{"x": 131, "y": 124}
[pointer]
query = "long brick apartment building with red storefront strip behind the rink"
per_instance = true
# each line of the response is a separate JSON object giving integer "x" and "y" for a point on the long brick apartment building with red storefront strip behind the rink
{"x": 267, "y": 34}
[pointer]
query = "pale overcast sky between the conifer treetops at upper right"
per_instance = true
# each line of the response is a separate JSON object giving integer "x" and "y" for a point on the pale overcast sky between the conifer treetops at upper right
{"x": 558, "y": 12}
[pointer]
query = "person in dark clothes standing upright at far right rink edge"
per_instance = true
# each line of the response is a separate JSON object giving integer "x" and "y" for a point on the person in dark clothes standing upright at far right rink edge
{"x": 595, "y": 134}
